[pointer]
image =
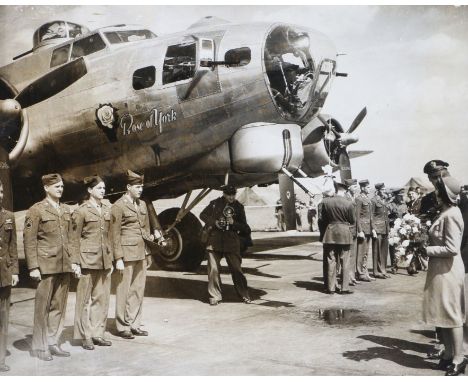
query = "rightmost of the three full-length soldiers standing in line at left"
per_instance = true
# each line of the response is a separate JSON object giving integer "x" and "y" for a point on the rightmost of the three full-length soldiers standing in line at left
{"x": 129, "y": 229}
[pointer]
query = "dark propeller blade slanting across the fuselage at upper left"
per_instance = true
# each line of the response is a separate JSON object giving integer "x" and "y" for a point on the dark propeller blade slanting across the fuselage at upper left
{"x": 52, "y": 83}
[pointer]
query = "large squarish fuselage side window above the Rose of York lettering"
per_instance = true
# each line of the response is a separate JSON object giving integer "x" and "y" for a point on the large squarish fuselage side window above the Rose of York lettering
{"x": 180, "y": 62}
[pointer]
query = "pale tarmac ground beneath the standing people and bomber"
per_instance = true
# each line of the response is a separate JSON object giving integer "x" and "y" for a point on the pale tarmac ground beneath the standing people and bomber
{"x": 292, "y": 327}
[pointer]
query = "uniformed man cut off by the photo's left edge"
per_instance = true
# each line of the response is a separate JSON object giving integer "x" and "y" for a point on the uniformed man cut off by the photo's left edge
{"x": 8, "y": 273}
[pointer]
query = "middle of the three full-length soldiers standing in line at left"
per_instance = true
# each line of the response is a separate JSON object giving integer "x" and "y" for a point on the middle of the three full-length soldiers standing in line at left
{"x": 90, "y": 245}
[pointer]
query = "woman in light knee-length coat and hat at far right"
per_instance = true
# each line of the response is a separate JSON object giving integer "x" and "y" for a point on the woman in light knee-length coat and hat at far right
{"x": 444, "y": 291}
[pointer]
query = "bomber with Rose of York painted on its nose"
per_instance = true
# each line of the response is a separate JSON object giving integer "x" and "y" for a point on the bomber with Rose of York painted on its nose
{"x": 216, "y": 103}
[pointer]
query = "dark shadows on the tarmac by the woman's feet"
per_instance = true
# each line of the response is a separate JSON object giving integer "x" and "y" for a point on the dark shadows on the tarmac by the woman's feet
{"x": 393, "y": 349}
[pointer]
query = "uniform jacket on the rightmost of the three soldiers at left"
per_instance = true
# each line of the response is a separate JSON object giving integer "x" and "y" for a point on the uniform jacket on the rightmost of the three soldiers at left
{"x": 129, "y": 227}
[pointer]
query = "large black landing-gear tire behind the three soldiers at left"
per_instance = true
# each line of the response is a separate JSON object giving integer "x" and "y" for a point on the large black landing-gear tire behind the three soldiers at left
{"x": 184, "y": 252}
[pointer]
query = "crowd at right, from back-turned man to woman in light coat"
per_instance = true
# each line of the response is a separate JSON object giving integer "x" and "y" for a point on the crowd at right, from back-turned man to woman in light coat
{"x": 353, "y": 225}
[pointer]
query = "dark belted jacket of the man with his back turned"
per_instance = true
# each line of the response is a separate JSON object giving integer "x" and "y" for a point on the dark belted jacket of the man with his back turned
{"x": 336, "y": 216}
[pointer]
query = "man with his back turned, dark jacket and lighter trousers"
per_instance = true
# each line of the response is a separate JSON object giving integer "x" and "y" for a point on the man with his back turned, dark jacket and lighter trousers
{"x": 337, "y": 215}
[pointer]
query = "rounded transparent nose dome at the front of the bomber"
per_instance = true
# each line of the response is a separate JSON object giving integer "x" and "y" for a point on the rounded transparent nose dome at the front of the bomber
{"x": 299, "y": 66}
